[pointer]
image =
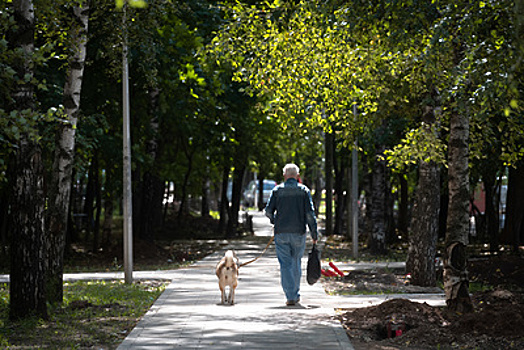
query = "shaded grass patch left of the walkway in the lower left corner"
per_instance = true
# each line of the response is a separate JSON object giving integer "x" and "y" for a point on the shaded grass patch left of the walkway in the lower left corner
{"x": 94, "y": 314}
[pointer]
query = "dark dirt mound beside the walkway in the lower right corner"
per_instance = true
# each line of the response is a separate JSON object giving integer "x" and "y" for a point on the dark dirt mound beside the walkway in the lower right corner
{"x": 497, "y": 323}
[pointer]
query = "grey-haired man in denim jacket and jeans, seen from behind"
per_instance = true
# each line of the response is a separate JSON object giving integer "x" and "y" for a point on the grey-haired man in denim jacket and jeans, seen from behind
{"x": 290, "y": 208}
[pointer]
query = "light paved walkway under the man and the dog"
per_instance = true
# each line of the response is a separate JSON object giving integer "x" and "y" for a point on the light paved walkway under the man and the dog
{"x": 188, "y": 315}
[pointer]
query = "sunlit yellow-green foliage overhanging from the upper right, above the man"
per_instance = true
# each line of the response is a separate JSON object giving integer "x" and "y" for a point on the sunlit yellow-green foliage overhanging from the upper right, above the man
{"x": 313, "y": 60}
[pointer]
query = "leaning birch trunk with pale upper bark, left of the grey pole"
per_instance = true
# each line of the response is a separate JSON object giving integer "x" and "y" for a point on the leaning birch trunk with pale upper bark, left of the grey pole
{"x": 60, "y": 183}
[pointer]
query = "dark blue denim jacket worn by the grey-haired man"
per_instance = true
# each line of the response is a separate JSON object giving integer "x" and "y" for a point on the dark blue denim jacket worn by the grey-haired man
{"x": 290, "y": 208}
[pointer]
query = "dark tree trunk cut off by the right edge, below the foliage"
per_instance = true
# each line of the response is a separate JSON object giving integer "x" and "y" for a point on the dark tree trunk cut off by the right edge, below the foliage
{"x": 514, "y": 226}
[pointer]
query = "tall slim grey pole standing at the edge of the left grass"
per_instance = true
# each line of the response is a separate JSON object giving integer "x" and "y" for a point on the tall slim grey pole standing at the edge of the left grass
{"x": 127, "y": 203}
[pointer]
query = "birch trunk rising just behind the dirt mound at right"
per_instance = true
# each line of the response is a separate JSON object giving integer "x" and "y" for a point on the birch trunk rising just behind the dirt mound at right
{"x": 456, "y": 283}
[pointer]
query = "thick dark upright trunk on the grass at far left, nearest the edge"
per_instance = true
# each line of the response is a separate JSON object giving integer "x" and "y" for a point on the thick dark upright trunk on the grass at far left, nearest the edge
{"x": 27, "y": 272}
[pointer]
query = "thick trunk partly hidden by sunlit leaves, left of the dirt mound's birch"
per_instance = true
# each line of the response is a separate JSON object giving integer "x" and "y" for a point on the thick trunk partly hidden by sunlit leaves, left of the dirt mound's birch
{"x": 425, "y": 222}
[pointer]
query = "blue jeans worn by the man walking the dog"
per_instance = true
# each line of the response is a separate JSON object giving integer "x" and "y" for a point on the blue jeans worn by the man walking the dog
{"x": 290, "y": 249}
